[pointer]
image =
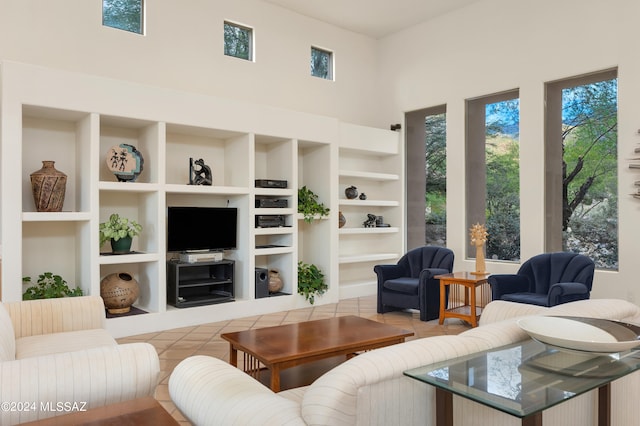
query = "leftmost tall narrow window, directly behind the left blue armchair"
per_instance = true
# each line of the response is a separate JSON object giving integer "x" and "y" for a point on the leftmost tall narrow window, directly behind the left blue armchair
{"x": 426, "y": 167}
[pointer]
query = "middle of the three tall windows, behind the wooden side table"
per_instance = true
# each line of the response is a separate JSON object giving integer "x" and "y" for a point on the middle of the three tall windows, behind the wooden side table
{"x": 493, "y": 172}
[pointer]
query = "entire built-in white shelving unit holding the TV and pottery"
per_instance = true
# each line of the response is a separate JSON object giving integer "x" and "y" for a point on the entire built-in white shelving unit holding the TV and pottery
{"x": 74, "y": 119}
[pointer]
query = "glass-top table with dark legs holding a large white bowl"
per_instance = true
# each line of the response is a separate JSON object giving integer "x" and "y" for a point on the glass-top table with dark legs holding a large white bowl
{"x": 525, "y": 378}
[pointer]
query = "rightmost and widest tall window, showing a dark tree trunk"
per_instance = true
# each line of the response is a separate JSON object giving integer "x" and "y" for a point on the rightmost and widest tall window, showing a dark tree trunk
{"x": 581, "y": 167}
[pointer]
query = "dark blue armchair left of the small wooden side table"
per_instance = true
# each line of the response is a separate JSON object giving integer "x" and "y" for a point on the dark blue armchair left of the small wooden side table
{"x": 410, "y": 284}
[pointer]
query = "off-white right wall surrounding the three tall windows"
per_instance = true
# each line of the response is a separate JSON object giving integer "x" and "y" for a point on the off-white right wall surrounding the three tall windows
{"x": 498, "y": 45}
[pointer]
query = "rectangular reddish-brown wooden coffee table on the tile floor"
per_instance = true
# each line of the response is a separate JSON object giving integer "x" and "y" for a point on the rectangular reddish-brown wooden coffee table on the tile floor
{"x": 285, "y": 346}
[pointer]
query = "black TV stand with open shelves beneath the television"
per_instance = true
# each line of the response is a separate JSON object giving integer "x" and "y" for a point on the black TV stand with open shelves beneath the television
{"x": 200, "y": 283}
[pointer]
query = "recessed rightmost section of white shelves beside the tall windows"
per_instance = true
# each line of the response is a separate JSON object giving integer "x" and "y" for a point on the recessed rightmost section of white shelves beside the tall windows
{"x": 372, "y": 161}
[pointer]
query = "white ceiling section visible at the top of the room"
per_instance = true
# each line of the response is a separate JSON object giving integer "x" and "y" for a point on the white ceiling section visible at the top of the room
{"x": 374, "y": 18}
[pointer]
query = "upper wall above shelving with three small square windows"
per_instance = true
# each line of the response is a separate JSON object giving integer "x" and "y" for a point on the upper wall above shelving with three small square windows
{"x": 183, "y": 49}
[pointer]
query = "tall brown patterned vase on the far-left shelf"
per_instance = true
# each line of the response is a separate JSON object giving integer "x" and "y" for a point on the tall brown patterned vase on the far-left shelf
{"x": 48, "y": 186}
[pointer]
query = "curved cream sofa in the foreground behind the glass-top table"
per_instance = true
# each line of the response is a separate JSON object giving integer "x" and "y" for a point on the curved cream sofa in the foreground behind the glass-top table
{"x": 370, "y": 389}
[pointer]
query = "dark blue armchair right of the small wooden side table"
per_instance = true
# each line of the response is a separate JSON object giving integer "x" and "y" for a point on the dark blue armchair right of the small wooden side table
{"x": 546, "y": 280}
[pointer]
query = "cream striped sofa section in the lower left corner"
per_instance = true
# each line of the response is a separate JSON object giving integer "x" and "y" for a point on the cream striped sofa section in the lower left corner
{"x": 55, "y": 356}
